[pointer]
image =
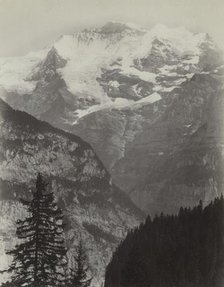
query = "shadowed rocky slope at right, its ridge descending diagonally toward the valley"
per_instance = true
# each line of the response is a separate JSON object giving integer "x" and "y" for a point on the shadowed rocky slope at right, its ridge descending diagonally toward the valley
{"x": 184, "y": 153}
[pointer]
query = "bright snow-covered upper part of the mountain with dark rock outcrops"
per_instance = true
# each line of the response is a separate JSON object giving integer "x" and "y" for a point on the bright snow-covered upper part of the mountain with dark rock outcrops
{"x": 115, "y": 65}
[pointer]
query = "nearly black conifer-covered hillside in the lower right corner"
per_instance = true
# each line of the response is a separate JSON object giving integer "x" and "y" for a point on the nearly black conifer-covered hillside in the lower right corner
{"x": 186, "y": 250}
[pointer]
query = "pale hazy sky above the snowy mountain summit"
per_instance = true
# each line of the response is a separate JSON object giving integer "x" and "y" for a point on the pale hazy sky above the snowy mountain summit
{"x": 32, "y": 24}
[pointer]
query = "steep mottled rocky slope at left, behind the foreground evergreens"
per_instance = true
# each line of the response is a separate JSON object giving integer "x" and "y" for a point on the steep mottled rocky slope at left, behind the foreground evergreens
{"x": 95, "y": 209}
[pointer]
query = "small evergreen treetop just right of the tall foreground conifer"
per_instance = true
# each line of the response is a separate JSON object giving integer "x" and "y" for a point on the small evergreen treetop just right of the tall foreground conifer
{"x": 79, "y": 272}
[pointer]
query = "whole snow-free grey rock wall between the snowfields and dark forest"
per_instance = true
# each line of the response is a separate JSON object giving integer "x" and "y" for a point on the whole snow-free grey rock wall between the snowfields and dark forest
{"x": 152, "y": 151}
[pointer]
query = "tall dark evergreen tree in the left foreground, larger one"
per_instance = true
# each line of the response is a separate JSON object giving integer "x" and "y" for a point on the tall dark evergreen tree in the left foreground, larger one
{"x": 39, "y": 260}
